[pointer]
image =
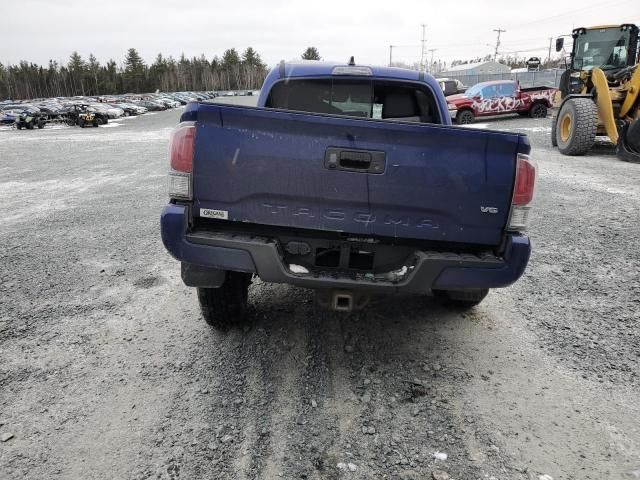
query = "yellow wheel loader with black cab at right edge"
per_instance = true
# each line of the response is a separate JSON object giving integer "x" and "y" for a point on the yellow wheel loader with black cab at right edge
{"x": 600, "y": 92}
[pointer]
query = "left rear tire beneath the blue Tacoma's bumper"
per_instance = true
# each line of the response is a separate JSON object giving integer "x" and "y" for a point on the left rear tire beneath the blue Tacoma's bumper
{"x": 226, "y": 306}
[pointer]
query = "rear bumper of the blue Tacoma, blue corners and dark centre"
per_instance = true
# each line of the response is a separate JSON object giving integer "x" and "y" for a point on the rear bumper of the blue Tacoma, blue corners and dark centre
{"x": 428, "y": 269}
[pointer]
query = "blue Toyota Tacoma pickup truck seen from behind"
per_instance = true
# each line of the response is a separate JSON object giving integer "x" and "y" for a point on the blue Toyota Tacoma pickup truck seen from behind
{"x": 349, "y": 180}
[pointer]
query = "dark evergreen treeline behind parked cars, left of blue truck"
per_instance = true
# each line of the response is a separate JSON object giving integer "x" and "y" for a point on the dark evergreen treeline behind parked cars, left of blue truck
{"x": 88, "y": 77}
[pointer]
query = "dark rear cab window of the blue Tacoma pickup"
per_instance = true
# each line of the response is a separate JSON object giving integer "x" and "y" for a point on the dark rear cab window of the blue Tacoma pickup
{"x": 362, "y": 98}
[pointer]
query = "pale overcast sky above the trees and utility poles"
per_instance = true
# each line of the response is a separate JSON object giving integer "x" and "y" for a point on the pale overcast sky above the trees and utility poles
{"x": 39, "y": 30}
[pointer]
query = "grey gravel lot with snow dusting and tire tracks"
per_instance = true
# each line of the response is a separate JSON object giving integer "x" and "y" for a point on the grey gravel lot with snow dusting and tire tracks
{"x": 107, "y": 370}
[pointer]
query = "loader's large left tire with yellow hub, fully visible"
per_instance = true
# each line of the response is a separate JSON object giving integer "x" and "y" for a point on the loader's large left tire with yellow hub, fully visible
{"x": 577, "y": 125}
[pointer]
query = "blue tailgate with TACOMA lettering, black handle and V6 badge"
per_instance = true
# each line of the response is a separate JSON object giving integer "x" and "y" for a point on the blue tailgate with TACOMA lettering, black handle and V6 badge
{"x": 364, "y": 177}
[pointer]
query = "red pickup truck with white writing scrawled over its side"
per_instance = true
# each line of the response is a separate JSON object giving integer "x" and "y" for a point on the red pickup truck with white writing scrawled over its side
{"x": 500, "y": 97}
